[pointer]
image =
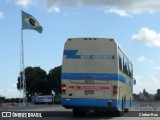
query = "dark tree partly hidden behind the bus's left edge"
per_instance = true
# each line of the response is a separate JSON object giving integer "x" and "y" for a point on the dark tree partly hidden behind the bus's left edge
{"x": 54, "y": 79}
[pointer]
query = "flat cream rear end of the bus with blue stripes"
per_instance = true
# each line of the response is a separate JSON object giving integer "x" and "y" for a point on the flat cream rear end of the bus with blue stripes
{"x": 89, "y": 74}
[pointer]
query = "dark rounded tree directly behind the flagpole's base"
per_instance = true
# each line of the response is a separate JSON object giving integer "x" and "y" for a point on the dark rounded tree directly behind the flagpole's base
{"x": 35, "y": 81}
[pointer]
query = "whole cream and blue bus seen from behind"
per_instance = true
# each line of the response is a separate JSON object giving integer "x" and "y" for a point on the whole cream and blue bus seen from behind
{"x": 96, "y": 75}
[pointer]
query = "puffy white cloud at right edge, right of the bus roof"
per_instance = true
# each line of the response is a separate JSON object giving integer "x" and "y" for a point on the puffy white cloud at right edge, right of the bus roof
{"x": 148, "y": 37}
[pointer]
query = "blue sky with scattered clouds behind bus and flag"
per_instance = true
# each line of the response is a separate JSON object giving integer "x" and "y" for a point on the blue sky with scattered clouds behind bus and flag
{"x": 135, "y": 25}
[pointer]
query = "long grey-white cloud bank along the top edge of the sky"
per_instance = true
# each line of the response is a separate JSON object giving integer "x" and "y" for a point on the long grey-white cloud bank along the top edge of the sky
{"x": 120, "y": 7}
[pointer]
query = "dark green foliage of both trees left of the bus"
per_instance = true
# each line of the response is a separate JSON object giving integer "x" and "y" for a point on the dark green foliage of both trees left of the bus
{"x": 37, "y": 81}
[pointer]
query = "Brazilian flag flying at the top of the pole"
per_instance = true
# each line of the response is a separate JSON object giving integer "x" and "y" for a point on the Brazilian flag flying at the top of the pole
{"x": 29, "y": 22}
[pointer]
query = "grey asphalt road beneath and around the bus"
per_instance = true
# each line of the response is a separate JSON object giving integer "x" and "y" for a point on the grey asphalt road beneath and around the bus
{"x": 57, "y": 112}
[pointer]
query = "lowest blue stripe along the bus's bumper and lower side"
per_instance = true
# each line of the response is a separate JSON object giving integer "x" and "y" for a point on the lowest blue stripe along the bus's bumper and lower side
{"x": 86, "y": 102}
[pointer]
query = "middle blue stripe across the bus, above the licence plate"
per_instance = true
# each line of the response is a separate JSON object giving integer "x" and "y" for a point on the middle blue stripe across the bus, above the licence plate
{"x": 82, "y": 76}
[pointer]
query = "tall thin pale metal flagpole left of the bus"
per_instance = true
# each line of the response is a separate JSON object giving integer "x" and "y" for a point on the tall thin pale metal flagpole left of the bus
{"x": 23, "y": 70}
